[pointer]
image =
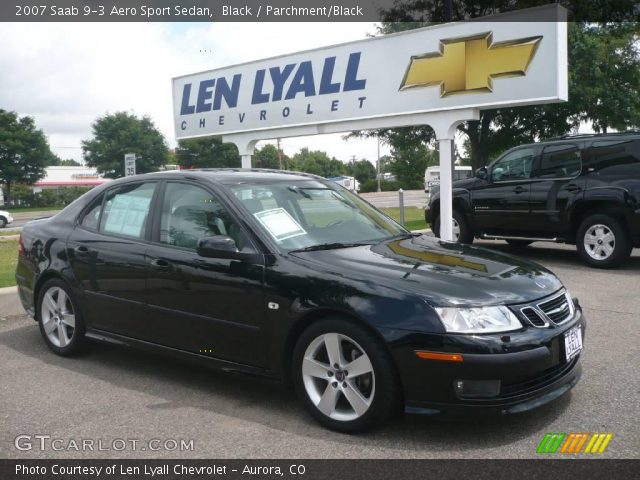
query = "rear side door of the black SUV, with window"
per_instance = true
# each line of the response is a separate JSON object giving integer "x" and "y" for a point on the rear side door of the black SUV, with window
{"x": 558, "y": 185}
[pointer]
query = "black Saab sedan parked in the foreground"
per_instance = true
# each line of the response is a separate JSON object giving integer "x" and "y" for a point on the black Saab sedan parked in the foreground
{"x": 294, "y": 277}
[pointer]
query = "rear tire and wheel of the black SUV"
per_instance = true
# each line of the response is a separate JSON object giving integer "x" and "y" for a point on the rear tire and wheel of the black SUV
{"x": 602, "y": 242}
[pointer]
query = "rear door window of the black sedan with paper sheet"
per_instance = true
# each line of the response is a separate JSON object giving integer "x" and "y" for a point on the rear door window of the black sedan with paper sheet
{"x": 126, "y": 210}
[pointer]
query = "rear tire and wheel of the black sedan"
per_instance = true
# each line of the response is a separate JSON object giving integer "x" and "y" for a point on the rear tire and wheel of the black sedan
{"x": 60, "y": 319}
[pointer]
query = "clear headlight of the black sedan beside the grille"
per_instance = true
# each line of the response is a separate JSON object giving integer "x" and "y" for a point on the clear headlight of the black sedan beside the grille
{"x": 478, "y": 320}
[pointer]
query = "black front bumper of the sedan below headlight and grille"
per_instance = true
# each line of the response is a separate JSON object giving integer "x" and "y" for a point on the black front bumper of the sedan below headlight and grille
{"x": 523, "y": 370}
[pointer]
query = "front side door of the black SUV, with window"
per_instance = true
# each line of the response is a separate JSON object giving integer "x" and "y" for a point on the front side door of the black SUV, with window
{"x": 501, "y": 205}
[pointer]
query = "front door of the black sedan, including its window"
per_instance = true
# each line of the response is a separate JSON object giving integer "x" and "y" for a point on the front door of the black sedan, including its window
{"x": 211, "y": 306}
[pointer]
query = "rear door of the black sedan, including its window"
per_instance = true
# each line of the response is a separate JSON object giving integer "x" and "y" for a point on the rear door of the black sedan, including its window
{"x": 107, "y": 254}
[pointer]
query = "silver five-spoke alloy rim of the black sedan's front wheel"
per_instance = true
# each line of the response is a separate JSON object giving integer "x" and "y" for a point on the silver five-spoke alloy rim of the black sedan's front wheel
{"x": 338, "y": 377}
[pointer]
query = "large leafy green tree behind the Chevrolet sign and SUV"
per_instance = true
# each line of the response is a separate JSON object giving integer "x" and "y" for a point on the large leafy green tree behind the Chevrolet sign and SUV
{"x": 604, "y": 78}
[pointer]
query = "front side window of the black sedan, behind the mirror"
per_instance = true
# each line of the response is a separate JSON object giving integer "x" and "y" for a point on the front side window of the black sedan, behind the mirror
{"x": 190, "y": 213}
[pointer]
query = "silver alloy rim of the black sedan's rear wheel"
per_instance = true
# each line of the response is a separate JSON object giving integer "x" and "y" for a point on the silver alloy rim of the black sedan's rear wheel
{"x": 58, "y": 317}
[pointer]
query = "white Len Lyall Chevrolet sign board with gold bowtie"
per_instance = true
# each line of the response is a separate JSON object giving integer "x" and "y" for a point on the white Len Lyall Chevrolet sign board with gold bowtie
{"x": 445, "y": 67}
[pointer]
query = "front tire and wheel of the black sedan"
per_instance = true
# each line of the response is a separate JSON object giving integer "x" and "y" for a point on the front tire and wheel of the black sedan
{"x": 352, "y": 403}
